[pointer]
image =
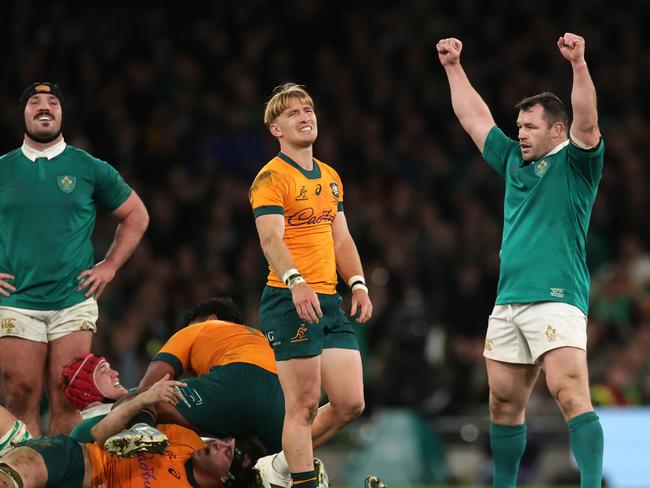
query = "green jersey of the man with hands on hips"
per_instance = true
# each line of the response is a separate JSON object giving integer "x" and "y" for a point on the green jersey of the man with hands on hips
{"x": 47, "y": 211}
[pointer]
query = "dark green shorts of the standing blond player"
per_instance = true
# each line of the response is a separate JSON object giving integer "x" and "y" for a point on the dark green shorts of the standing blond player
{"x": 290, "y": 337}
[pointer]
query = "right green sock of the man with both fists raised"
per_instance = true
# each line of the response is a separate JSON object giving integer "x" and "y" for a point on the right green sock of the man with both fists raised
{"x": 587, "y": 442}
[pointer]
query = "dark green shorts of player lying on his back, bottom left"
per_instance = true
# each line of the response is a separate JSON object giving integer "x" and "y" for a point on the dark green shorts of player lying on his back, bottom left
{"x": 64, "y": 460}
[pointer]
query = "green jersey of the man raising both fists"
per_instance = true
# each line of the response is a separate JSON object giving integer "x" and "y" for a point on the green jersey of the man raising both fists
{"x": 546, "y": 209}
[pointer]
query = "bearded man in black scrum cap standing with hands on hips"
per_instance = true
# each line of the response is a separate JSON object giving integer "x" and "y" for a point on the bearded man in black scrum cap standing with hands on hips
{"x": 49, "y": 281}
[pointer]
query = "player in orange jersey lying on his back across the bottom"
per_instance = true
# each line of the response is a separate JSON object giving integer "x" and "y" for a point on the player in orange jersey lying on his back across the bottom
{"x": 188, "y": 460}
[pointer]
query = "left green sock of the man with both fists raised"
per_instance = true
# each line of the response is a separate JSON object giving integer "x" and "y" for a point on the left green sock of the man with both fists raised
{"x": 508, "y": 443}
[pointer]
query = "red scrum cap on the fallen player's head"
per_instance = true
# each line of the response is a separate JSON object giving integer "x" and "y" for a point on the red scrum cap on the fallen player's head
{"x": 79, "y": 380}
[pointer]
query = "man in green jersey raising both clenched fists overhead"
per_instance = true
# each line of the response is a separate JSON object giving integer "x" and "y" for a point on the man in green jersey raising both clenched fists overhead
{"x": 539, "y": 321}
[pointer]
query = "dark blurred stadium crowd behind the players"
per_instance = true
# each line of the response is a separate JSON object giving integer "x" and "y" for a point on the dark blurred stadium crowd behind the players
{"x": 173, "y": 98}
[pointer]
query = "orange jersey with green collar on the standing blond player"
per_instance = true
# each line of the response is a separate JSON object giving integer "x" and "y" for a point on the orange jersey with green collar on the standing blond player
{"x": 309, "y": 201}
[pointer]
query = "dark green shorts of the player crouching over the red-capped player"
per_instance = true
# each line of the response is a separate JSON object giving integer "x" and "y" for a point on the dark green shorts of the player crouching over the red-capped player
{"x": 233, "y": 400}
